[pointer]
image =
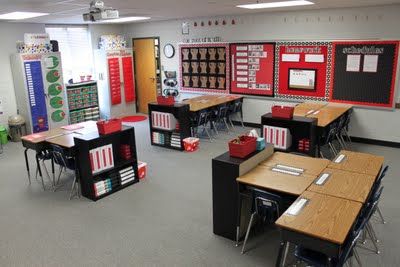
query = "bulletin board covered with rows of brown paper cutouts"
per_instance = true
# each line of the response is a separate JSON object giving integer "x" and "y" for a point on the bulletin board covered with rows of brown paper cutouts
{"x": 204, "y": 67}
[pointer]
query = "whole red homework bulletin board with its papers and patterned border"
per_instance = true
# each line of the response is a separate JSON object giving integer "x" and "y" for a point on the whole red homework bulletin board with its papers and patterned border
{"x": 305, "y": 64}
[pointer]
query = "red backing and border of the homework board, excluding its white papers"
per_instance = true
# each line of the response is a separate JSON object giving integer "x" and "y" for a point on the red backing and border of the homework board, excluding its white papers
{"x": 323, "y": 82}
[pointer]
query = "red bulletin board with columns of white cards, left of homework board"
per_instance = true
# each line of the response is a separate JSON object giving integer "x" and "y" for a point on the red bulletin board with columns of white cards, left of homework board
{"x": 252, "y": 68}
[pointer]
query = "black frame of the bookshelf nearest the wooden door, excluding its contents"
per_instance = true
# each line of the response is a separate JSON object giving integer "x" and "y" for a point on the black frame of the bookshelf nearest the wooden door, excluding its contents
{"x": 181, "y": 113}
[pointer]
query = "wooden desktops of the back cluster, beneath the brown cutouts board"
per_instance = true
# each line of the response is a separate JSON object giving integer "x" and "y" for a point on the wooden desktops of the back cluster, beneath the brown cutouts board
{"x": 208, "y": 101}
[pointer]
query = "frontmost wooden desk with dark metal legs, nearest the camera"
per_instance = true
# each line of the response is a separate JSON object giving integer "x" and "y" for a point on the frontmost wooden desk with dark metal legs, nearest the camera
{"x": 323, "y": 224}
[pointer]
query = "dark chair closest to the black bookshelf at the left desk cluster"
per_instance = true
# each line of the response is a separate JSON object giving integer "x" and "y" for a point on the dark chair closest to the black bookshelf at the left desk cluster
{"x": 65, "y": 163}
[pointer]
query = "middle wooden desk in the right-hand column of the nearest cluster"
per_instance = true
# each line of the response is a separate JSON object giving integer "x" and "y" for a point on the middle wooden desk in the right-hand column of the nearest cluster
{"x": 344, "y": 184}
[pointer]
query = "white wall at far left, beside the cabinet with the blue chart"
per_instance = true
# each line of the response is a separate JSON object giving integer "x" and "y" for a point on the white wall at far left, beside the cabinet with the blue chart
{"x": 10, "y": 33}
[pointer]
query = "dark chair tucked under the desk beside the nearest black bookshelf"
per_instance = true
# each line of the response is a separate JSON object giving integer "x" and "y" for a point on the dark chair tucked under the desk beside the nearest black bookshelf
{"x": 266, "y": 206}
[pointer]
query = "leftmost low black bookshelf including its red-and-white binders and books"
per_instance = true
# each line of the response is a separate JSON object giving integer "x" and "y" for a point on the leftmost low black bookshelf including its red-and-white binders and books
{"x": 106, "y": 163}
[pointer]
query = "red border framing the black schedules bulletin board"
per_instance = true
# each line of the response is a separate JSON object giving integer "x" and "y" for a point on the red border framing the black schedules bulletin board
{"x": 395, "y": 66}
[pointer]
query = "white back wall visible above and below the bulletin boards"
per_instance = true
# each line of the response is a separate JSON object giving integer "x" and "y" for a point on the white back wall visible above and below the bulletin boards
{"x": 381, "y": 22}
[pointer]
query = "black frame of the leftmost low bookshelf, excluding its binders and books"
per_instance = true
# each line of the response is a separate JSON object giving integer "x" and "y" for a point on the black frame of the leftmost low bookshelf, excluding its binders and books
{"x": 87, "y": 178}
